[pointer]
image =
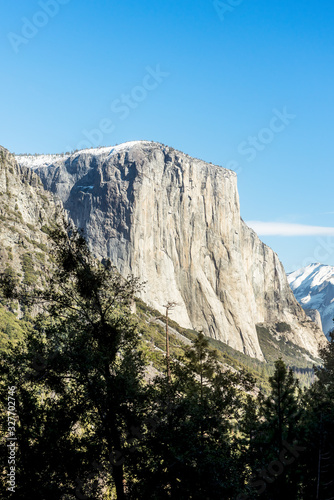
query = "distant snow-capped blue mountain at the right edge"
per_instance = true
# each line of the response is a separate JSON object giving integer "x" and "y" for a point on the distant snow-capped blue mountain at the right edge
{"x": 313, "y": 287}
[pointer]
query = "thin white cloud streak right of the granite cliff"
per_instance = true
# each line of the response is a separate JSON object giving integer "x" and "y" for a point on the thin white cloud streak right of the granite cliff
{"x": 287, "y": 229}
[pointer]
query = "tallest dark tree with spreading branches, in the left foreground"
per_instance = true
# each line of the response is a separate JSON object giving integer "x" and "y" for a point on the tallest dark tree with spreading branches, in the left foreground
{"x": 81, "y": 380}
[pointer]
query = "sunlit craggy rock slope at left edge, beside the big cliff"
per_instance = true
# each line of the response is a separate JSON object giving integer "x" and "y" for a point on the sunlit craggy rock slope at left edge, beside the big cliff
{"x": 26, "y": 210}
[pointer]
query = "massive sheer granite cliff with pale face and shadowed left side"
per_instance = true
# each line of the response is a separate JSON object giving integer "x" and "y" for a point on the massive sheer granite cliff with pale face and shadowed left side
{"x": 174, "y": 222}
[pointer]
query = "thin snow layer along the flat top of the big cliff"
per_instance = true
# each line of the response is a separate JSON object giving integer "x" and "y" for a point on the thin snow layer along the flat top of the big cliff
{"x": 37, "y": 161}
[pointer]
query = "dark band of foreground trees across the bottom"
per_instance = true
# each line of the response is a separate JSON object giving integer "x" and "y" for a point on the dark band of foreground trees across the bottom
{"x": 90, "y": 423}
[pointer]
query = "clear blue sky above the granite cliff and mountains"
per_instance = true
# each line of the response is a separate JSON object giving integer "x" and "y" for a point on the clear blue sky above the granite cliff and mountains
{"x": 246, "y": 84}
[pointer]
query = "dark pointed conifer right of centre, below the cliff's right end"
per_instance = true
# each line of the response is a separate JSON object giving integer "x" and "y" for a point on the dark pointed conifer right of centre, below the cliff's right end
{"x": 274, "y": 433}
